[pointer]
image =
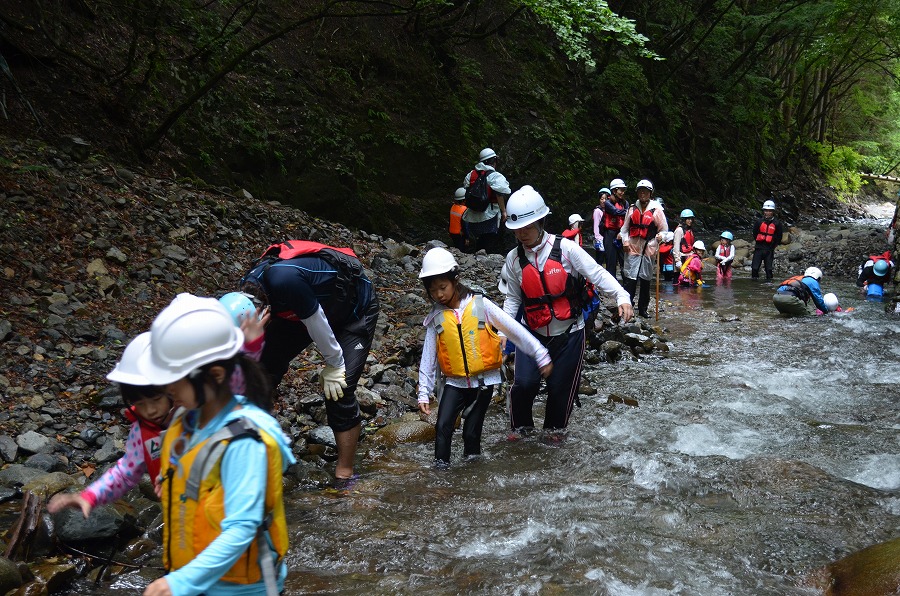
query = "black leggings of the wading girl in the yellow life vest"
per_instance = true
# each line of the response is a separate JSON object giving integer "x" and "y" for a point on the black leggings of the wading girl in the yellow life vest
{"x": 453, "y": 401}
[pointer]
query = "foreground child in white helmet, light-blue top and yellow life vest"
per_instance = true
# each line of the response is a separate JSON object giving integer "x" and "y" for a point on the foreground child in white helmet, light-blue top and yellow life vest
{"x": 221, "y": 492}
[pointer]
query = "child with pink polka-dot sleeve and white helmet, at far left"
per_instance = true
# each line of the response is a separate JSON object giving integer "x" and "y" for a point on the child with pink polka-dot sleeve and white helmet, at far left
{"x": 149, "y": 409}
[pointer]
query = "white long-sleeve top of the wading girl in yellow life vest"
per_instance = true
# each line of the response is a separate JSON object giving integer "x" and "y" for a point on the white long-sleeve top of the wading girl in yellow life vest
{"x": 493, "y": 315}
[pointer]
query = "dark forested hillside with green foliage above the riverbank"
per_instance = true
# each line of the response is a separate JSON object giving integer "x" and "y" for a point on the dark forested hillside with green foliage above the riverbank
{"x": 383, "y": 104}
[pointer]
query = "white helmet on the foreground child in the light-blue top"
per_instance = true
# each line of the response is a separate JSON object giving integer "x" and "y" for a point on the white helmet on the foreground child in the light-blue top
{"x": 189, "y": 333}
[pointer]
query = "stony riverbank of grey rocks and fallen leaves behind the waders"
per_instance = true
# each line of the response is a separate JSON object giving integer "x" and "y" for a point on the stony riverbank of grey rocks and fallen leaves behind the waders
{"x": 92, "y": 251}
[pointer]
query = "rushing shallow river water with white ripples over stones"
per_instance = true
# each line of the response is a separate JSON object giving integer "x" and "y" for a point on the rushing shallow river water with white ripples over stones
{"x": 761, "y": 449}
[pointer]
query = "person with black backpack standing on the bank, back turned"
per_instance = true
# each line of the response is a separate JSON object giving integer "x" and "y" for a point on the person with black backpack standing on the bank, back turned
{"x": 486, "y": 224}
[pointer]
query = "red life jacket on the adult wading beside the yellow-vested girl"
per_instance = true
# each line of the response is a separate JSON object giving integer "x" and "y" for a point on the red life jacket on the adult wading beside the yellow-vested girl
{"x": 549, "y": 293}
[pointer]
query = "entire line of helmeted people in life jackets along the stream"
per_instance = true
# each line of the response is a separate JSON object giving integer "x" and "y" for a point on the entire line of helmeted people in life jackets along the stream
{"x": 200, "y": 386}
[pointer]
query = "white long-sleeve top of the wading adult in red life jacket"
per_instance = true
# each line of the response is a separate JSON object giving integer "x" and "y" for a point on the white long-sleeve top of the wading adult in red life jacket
{"x": 574, "y": 259}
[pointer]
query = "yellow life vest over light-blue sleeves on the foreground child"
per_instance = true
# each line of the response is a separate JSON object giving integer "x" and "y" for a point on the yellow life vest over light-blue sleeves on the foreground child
{"x": 193, "y": 501}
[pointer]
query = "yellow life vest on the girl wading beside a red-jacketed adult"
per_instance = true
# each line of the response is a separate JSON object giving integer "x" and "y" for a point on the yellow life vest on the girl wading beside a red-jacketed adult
{"x": 469, "y": 347}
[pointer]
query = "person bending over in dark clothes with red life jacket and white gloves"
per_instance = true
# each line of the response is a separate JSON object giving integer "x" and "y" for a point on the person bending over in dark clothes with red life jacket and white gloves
{"x": 320, "y": 295}
